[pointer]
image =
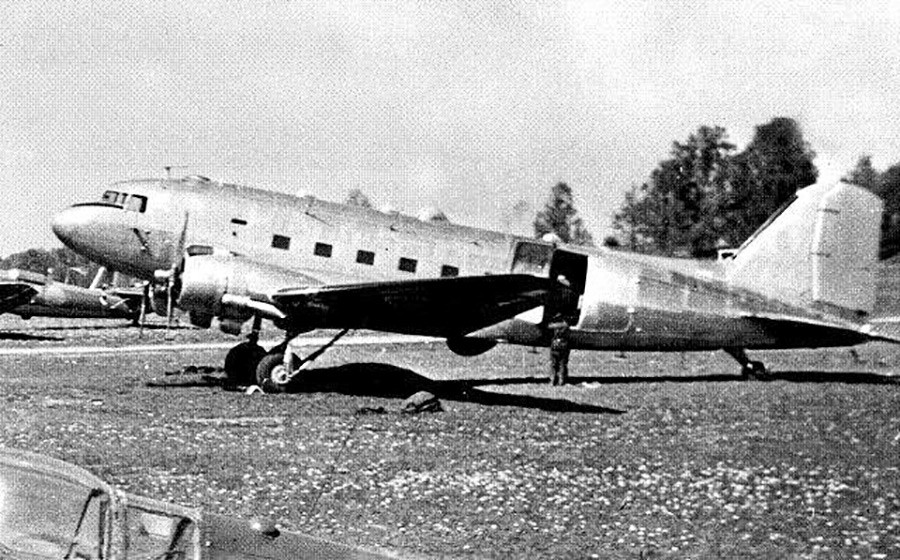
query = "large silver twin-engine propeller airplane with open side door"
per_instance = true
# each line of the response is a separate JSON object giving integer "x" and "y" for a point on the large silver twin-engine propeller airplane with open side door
{"x": 805, "y": 279}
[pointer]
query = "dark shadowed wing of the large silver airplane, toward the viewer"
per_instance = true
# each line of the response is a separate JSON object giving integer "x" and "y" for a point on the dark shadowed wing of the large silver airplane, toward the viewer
{"x": 443, "y": 307}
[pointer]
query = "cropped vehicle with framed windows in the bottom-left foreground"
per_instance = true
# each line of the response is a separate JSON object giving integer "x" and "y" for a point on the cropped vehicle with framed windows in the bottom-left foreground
{"x": 52, "y": 509}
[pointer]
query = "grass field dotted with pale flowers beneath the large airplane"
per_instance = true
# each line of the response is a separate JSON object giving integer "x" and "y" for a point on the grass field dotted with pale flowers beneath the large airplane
{"x": 644, "y": 456}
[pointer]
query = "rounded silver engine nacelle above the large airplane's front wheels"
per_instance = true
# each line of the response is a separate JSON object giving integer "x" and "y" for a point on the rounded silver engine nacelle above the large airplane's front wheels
{"x": 231, "y": 288}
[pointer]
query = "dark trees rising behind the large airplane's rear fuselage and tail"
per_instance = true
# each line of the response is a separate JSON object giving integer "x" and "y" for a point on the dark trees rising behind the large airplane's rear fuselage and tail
{"x": 707, "y": 195}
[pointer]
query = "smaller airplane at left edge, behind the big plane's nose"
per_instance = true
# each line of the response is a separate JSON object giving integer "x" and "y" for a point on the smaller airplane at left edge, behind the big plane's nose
{"x": 30, "y": 294}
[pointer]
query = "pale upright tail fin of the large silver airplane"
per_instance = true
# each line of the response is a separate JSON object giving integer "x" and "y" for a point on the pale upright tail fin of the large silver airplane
{"x": 820, "y": 251}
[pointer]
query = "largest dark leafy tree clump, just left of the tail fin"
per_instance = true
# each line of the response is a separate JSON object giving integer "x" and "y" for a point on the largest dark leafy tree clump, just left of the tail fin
{"x": 705, "y": 196}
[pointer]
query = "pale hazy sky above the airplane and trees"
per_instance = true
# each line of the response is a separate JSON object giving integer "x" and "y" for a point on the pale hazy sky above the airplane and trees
{"x": 468, "y": 106}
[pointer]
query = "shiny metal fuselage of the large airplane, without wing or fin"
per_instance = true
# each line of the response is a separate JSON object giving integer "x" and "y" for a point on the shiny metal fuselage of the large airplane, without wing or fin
{"x": 627, "y": 301}
